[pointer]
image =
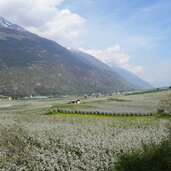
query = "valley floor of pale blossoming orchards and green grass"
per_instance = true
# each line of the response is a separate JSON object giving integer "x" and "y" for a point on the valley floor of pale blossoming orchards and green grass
{"x": 38, "y": 135}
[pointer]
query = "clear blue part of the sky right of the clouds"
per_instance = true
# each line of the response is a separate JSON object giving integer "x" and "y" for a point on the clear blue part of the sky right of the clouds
{"x": 141, "y": 28}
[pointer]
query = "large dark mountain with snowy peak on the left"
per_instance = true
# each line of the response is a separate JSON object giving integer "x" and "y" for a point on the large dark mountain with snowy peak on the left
{"x": 30, "y": 64}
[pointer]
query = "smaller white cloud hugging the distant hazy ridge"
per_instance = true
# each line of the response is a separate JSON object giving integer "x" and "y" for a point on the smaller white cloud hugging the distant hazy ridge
{"x": 114, "y": 56}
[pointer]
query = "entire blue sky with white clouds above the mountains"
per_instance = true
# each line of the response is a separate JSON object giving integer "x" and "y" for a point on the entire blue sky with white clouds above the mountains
{"x": 132, "y": 34}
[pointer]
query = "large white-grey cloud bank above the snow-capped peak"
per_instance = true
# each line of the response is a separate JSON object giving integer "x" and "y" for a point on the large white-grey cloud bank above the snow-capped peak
{"x": 43, "y": 17}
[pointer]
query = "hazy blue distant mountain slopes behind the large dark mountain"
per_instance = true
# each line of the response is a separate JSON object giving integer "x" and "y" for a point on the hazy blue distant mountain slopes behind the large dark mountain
{"x": 130, "y": 78}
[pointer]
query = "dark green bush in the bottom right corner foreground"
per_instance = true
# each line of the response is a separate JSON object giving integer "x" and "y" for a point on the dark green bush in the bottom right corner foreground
{"x": 151, "y": 157}
